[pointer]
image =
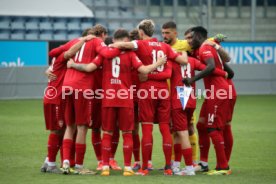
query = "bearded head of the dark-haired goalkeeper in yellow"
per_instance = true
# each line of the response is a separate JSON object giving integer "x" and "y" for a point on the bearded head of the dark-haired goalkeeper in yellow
{"x": 169, "y": 32}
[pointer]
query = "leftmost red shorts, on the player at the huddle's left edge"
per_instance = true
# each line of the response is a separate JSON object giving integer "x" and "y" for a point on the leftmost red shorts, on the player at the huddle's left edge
{"x": 53, "y": 114}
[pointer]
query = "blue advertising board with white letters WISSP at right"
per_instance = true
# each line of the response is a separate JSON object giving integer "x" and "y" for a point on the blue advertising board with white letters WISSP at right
{"x": 251, "y": 52}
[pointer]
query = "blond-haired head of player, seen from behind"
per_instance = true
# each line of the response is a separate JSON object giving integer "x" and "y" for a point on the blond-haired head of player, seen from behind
{"x": 146, "y": 28}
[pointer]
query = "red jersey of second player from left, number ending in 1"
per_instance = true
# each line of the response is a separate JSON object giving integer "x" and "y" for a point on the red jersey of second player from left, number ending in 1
{"x": 82, "y": 80}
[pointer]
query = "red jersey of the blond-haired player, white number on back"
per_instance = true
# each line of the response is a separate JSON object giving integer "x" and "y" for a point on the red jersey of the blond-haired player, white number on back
{"x": 147, "y": 51}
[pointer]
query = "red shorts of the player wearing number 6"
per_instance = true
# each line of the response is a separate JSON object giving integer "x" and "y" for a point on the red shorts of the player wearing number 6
{"x": 117, "y": 116}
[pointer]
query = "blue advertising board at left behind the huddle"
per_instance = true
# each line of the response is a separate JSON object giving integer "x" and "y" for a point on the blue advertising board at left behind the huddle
{"x": 23, "y": 53}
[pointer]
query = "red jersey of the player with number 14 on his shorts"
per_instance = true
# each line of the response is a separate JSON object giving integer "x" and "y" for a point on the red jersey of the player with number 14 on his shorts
{"x": 218, "y": 82}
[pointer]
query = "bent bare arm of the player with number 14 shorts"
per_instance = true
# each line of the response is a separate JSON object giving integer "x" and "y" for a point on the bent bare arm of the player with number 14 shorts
{"x": 210, "y": 67}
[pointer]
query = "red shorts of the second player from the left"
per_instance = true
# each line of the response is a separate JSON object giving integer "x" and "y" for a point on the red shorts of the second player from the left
{"x": 77, "y": 111}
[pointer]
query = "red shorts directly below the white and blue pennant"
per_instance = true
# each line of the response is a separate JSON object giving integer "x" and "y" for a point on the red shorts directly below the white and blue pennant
{"x": 180, "y": 118}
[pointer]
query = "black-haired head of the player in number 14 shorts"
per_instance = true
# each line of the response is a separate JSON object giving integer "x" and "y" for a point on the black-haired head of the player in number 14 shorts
{"x": 199, "y": 35}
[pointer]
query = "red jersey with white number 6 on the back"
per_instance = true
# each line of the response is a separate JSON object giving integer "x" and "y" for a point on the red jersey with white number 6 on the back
{"x": 117, "y": 78}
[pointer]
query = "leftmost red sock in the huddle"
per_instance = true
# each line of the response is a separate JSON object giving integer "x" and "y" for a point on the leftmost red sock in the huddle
{"x": 53, "y": 147}
